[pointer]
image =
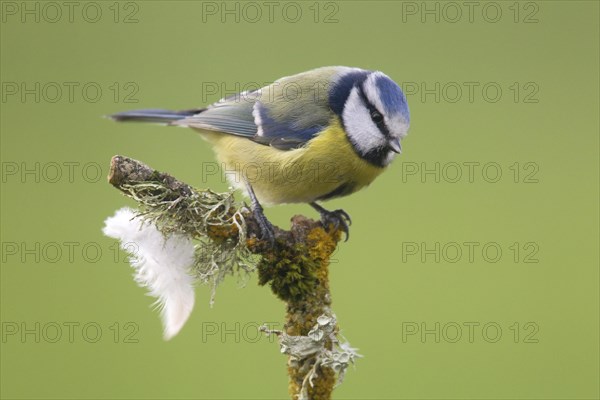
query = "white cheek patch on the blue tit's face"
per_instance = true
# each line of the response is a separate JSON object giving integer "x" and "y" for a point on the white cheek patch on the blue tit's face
{"x": 360, "y": 128}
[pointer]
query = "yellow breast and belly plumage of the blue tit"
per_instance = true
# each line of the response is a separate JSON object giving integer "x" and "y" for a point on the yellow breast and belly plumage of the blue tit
{"x": 326, "y": 167}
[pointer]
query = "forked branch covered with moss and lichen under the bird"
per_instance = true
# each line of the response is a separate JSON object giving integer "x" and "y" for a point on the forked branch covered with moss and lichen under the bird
{"x": 295, "y": 266}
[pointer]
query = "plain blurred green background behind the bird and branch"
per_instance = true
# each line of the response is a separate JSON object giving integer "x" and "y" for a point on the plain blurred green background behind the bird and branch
{"x": 378, "y": 289}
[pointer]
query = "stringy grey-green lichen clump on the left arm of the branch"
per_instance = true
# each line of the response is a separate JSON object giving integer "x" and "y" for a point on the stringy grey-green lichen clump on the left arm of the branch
{"x": 213, "y": 220}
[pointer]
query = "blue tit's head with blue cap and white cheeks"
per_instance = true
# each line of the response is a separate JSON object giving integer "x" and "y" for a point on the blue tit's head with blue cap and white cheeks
{"x": 374, "y": 113}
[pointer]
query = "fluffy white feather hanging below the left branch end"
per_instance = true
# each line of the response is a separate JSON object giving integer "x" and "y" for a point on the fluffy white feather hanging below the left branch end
{"x": 161, "y": 265}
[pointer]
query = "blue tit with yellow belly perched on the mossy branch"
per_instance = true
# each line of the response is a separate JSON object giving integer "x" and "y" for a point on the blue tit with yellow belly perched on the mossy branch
{"x": 305, "y": 138}
